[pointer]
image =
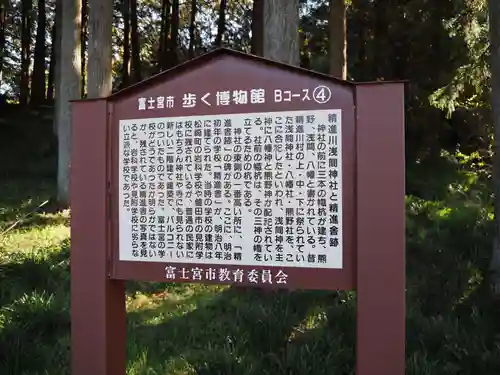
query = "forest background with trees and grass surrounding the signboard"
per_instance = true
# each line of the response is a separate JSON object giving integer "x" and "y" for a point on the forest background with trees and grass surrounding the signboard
{"x": 441, "y": 47}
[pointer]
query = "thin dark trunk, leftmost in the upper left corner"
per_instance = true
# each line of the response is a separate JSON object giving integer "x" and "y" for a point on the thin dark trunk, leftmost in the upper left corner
{"x": 26, "y": 9}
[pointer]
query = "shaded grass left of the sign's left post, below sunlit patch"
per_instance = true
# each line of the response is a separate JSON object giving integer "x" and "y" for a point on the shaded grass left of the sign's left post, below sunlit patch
{"x": 34, "y": 319}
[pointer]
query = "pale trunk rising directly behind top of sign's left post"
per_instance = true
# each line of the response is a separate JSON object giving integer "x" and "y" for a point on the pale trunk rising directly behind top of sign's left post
{"x": 100, "y": 53}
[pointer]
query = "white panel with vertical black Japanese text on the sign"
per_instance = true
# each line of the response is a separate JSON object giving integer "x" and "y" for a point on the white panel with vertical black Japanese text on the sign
{"x": 257, "y": 189}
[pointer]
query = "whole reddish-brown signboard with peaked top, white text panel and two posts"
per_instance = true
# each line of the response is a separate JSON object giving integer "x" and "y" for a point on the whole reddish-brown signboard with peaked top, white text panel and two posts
{"x": 233, "y": 169}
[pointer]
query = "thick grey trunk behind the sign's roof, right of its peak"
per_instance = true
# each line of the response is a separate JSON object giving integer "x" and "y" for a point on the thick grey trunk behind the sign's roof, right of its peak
{"x": 281, "y": 35}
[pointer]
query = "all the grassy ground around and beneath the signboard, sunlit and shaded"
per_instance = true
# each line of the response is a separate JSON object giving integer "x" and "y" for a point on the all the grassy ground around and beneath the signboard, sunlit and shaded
{"x": 453, "y": 328}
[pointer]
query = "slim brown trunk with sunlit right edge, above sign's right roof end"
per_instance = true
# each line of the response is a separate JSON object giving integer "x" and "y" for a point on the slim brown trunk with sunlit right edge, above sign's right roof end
{"x": 337, "y": 39}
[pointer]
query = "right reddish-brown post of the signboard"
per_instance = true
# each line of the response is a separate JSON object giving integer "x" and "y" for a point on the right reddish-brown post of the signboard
{"x": 380, "y": 282}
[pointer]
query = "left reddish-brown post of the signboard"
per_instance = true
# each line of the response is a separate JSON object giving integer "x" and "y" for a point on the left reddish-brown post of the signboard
{"x": 98, "y": 315}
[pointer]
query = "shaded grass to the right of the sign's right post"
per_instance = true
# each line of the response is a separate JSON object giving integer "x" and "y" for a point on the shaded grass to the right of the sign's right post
{"x": 453, "y": 323}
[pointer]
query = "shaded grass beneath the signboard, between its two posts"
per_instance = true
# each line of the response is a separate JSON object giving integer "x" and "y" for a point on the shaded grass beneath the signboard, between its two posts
{"x": 250, "y": 333}
